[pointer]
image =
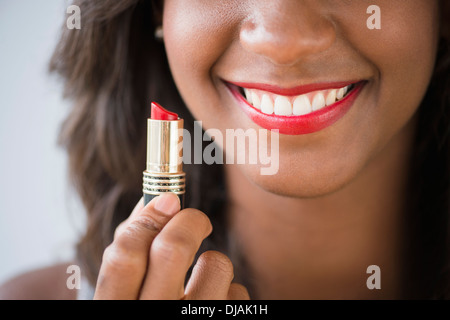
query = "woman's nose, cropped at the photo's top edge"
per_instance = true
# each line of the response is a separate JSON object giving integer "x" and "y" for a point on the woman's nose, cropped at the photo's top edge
{"x": 286, "y": 31}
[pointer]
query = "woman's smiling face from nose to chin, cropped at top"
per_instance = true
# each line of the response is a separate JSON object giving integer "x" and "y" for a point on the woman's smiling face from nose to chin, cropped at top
{"x": 295, "y": 58}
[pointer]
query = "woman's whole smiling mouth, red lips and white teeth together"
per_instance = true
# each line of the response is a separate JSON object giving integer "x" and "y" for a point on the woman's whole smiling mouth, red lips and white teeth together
{"x": 300, "y": 110}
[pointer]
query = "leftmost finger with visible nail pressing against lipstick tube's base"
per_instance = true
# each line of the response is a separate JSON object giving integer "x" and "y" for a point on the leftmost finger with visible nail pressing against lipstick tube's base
{"x": 125, "y": 261}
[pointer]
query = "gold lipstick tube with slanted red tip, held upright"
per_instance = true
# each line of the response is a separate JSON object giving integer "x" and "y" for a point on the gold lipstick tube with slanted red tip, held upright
{"x": 164, "y": 170}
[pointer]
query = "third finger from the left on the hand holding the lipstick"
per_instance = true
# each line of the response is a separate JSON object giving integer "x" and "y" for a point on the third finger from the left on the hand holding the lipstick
{"x": 211, "y": 277}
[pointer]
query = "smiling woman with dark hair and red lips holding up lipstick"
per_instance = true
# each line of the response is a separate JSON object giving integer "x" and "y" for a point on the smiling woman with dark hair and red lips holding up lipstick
{"x": 369, "y": 187}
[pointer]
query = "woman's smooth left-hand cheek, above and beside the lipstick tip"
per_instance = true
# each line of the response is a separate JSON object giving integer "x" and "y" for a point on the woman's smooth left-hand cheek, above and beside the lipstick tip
{"x": 193, "y": 45}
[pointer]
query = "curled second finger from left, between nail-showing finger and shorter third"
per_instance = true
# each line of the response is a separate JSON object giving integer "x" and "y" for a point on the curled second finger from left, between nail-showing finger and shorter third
{"x": 173, "y": 252}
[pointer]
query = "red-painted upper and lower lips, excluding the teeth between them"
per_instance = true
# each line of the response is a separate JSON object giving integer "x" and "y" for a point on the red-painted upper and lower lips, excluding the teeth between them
{"x": 296, "y": 125}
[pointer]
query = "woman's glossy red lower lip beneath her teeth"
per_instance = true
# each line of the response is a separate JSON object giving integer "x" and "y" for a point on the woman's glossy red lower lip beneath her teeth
{"x": 296, "y": 125}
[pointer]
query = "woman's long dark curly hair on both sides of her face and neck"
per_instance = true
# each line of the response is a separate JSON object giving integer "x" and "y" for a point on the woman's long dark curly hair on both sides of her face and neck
{"x": 110, "y": 73}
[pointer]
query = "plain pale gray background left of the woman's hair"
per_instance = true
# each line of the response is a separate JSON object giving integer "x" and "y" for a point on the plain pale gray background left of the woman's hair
{"x": 40, "y": 216}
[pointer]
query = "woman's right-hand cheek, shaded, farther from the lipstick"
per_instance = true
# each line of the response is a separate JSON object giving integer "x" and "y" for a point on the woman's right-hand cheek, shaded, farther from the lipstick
{"x": 402, "y": 54}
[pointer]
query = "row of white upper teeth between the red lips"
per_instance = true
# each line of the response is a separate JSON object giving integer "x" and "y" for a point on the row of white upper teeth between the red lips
{"x": 270, "y": 103}
